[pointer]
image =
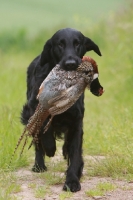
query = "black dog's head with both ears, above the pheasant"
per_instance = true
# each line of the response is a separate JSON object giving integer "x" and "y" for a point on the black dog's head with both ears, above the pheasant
{"x": 67, "y": 47}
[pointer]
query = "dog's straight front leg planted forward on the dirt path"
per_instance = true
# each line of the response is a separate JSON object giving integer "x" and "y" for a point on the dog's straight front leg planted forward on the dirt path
{"x": 74, "y": 150}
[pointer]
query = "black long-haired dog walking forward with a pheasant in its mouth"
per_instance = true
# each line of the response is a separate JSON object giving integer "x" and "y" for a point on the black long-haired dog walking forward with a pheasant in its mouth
{"x": 66, "y": 47}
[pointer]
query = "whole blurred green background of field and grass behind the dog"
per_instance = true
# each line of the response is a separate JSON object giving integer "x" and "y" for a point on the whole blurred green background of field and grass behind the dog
{"x": 25, "y": 25}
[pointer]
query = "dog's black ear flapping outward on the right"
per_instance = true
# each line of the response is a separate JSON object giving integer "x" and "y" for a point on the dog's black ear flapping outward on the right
{"x": 90, "y": 45}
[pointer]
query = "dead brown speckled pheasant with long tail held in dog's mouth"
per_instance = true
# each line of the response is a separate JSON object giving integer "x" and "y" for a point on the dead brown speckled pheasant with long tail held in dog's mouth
{"x": 57, "y": 93}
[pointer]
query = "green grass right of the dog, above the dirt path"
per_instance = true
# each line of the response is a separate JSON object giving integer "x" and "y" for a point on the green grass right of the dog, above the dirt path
{"x": 108, "y": 119}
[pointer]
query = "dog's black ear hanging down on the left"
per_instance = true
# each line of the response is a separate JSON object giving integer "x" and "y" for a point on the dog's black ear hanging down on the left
{"x": 46, "y": 53}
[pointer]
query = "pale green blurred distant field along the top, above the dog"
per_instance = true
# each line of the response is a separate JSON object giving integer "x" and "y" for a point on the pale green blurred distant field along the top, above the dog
{"x": 36, "y": 15}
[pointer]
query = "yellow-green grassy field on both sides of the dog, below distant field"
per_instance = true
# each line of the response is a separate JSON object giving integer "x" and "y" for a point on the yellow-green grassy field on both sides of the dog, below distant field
{"x": 108, "y": 122}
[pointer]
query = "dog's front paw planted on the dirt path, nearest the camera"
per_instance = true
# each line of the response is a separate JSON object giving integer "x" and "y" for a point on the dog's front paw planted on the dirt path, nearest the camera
{"x": 73, "y": 186}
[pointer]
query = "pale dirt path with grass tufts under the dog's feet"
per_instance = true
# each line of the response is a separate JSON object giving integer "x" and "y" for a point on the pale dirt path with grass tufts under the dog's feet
{"x": 35, "y": 187}
